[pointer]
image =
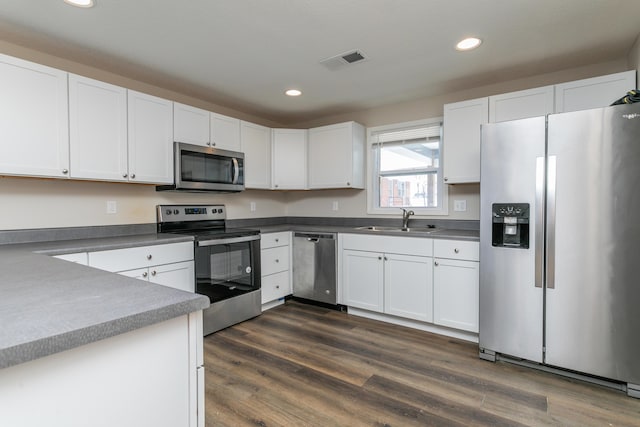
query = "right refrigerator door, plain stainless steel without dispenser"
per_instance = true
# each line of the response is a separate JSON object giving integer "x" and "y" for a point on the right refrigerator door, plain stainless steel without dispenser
{"x": 592, "y": 322}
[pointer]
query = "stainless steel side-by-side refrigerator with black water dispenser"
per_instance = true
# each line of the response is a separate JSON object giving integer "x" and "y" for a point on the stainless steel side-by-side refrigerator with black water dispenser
{"x": 560, "y": 242}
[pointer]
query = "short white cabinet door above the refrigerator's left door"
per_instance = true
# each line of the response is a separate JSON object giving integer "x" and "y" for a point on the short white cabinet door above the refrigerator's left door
{"x": 521, "y": 105}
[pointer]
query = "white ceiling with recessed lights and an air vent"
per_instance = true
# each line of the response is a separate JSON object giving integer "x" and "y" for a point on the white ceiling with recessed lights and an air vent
{"x": 243, "y": 54}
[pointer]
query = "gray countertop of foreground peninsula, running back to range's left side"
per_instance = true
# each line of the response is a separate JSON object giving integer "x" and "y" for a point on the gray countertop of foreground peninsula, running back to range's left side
{"x": 48, "y": 305}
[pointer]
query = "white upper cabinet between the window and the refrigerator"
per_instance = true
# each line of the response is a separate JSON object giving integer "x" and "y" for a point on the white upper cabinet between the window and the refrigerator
{"x": 462, "y": 121}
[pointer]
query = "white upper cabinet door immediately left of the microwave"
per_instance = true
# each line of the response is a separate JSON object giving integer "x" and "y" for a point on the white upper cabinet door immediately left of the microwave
{"x": 150, "y": 131}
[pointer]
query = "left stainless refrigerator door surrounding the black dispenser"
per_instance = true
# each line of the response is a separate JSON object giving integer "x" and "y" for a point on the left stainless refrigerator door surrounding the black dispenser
{"x": 511, "y": 305}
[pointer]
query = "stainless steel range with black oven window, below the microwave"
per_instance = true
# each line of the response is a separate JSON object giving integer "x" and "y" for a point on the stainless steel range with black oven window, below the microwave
{"x": 227, "y": 262}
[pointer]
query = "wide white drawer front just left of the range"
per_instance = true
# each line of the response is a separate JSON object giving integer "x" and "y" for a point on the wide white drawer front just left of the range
{"x": 143, "y": 256}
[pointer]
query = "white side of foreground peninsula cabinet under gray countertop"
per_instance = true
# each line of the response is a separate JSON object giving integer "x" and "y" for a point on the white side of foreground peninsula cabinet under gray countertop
{"x": 151, "y": 376}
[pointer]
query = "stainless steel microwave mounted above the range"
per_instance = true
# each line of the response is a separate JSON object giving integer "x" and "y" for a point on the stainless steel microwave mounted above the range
{"x": 198, "y": 168}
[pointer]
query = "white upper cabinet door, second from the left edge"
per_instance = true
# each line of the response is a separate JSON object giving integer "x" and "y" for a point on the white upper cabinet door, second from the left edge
{"x": 98, "y": 130}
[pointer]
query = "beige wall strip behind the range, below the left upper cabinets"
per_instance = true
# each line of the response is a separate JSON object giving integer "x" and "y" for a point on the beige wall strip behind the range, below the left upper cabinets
{"x": 50, "y": 203}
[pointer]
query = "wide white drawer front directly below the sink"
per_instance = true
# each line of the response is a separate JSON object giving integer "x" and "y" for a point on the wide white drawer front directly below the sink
{"x": 418, "y": 246}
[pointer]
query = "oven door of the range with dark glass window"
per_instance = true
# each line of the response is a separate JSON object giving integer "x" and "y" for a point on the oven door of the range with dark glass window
{"x": 227, "y": 267}
